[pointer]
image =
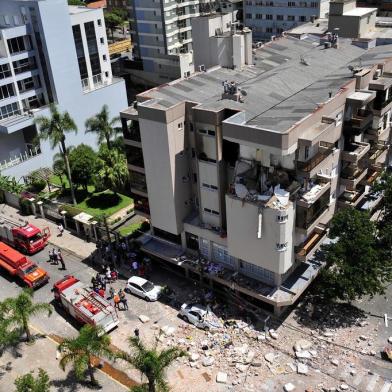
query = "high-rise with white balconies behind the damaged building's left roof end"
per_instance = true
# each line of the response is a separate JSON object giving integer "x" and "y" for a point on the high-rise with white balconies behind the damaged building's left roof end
{"x": 161, "y": 33}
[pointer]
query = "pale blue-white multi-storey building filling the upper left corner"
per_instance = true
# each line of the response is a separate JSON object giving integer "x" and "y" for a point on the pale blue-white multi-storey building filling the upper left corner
{"x": 50, "y": 53}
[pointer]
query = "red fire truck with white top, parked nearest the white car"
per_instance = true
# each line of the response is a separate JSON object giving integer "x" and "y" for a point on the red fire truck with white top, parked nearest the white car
{"x": 84, "y": 304}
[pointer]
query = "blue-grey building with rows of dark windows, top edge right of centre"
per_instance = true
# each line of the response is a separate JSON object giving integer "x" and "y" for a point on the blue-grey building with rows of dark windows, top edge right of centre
{"x": 273, "y": 17}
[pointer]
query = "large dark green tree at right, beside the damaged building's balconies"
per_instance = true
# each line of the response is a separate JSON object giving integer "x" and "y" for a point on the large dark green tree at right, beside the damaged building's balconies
{"x": 354, "y": 267}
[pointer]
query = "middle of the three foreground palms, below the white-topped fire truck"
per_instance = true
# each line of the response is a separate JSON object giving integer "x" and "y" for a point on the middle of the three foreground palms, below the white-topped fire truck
{"x": 91, "y": 342}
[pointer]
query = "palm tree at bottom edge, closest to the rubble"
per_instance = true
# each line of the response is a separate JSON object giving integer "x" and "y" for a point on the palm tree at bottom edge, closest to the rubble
{"x": 151, "y": 363}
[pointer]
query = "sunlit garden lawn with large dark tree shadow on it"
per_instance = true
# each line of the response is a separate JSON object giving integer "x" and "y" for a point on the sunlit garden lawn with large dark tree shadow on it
{"x": 97, "y": 203}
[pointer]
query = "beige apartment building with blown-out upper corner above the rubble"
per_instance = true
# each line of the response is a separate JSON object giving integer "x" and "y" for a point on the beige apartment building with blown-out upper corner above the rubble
{"x": 241, "y": 168}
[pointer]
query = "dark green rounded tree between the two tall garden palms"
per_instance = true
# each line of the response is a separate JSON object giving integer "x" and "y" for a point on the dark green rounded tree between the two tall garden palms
{"x": 82, "y": 160}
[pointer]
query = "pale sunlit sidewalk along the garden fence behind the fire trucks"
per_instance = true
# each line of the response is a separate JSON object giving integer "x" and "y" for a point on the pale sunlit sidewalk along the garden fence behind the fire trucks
{"x": 67, "y": 241}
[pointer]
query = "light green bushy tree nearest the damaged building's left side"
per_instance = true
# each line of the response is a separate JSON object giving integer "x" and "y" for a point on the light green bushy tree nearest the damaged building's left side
{"x": 112, "y": 169}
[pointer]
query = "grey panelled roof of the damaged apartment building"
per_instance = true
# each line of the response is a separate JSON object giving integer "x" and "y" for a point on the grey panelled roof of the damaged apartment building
{"x": 289, "y": 80}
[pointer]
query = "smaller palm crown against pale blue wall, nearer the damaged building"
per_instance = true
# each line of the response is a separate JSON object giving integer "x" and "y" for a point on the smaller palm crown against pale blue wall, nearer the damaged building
{"x": 102, "y": 126}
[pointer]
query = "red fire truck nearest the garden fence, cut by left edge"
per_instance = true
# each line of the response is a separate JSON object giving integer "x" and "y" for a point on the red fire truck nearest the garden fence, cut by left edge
{"x": 22, "y": 235}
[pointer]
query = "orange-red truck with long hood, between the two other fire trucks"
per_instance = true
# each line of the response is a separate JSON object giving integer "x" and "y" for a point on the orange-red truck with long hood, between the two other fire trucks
{"x": 19, "y": 265}
